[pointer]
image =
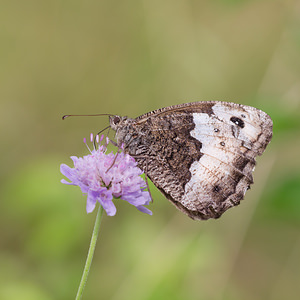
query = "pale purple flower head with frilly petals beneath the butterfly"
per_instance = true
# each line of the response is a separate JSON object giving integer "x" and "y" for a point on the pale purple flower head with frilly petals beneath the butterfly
{"x": 106, "y": 176}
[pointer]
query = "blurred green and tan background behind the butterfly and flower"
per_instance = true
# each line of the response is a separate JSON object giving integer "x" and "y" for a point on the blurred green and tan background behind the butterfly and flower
{"x": 128, "y": 58}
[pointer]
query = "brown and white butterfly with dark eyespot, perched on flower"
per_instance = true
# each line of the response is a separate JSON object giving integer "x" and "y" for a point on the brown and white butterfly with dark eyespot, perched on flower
{"x": 200, "y": 155}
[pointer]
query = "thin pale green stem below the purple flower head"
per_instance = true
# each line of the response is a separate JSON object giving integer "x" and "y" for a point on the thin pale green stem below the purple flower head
{"x": 90, "y": 253}
